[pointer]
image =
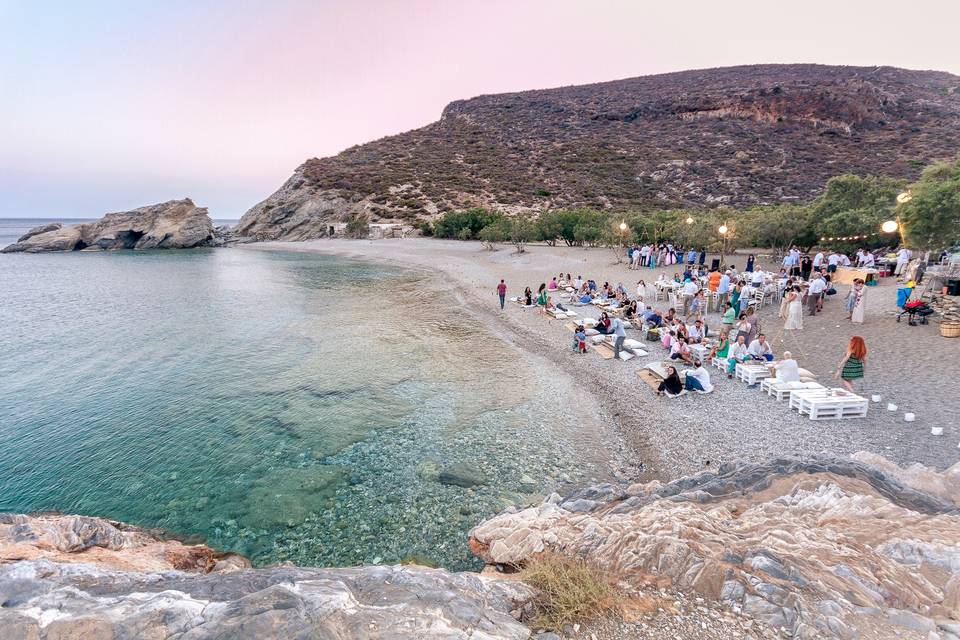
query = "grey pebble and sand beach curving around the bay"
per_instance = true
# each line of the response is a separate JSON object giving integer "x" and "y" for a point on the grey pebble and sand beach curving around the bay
{"x": 913, "y": 367}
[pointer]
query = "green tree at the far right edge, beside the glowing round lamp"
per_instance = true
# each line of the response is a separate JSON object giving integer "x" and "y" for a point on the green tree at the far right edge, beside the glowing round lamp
{"x": 931, "y": 219}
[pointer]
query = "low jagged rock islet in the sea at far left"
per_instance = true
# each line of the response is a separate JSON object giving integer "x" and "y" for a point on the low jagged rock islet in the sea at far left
{"x": 177, "y": 224}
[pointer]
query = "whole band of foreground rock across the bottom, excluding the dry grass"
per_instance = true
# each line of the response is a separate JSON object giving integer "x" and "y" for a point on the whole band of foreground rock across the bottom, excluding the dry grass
{"x": 823, "y": 547}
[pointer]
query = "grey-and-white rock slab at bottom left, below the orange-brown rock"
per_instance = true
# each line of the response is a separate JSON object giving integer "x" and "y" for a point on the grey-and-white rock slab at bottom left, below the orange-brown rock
{"x": 52, "y": 600}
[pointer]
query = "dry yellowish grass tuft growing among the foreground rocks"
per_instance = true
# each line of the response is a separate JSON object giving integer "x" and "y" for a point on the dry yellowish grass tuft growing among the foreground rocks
{"x": 571, "y": 591}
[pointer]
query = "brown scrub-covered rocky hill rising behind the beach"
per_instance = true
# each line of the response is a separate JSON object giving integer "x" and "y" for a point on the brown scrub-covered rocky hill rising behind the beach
{"x": 737, "y": 136}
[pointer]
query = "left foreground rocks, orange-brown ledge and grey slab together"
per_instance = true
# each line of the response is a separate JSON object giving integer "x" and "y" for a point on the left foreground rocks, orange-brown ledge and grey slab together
{"x": 78, "y": 577}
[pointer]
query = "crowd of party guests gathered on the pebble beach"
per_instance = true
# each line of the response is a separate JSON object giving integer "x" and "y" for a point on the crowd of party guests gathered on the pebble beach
{"x": 801, "y": 285}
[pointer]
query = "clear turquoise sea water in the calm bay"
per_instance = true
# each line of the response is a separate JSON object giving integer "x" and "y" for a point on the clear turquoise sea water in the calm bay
{"x": 287, "y": 406}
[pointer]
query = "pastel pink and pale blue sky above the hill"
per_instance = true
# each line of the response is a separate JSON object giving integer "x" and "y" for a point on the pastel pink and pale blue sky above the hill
{"x": 112, "y": 105}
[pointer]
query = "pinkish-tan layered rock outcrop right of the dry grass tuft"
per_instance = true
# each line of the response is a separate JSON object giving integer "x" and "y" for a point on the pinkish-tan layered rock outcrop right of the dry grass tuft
{"x": 821, "y": 548}
